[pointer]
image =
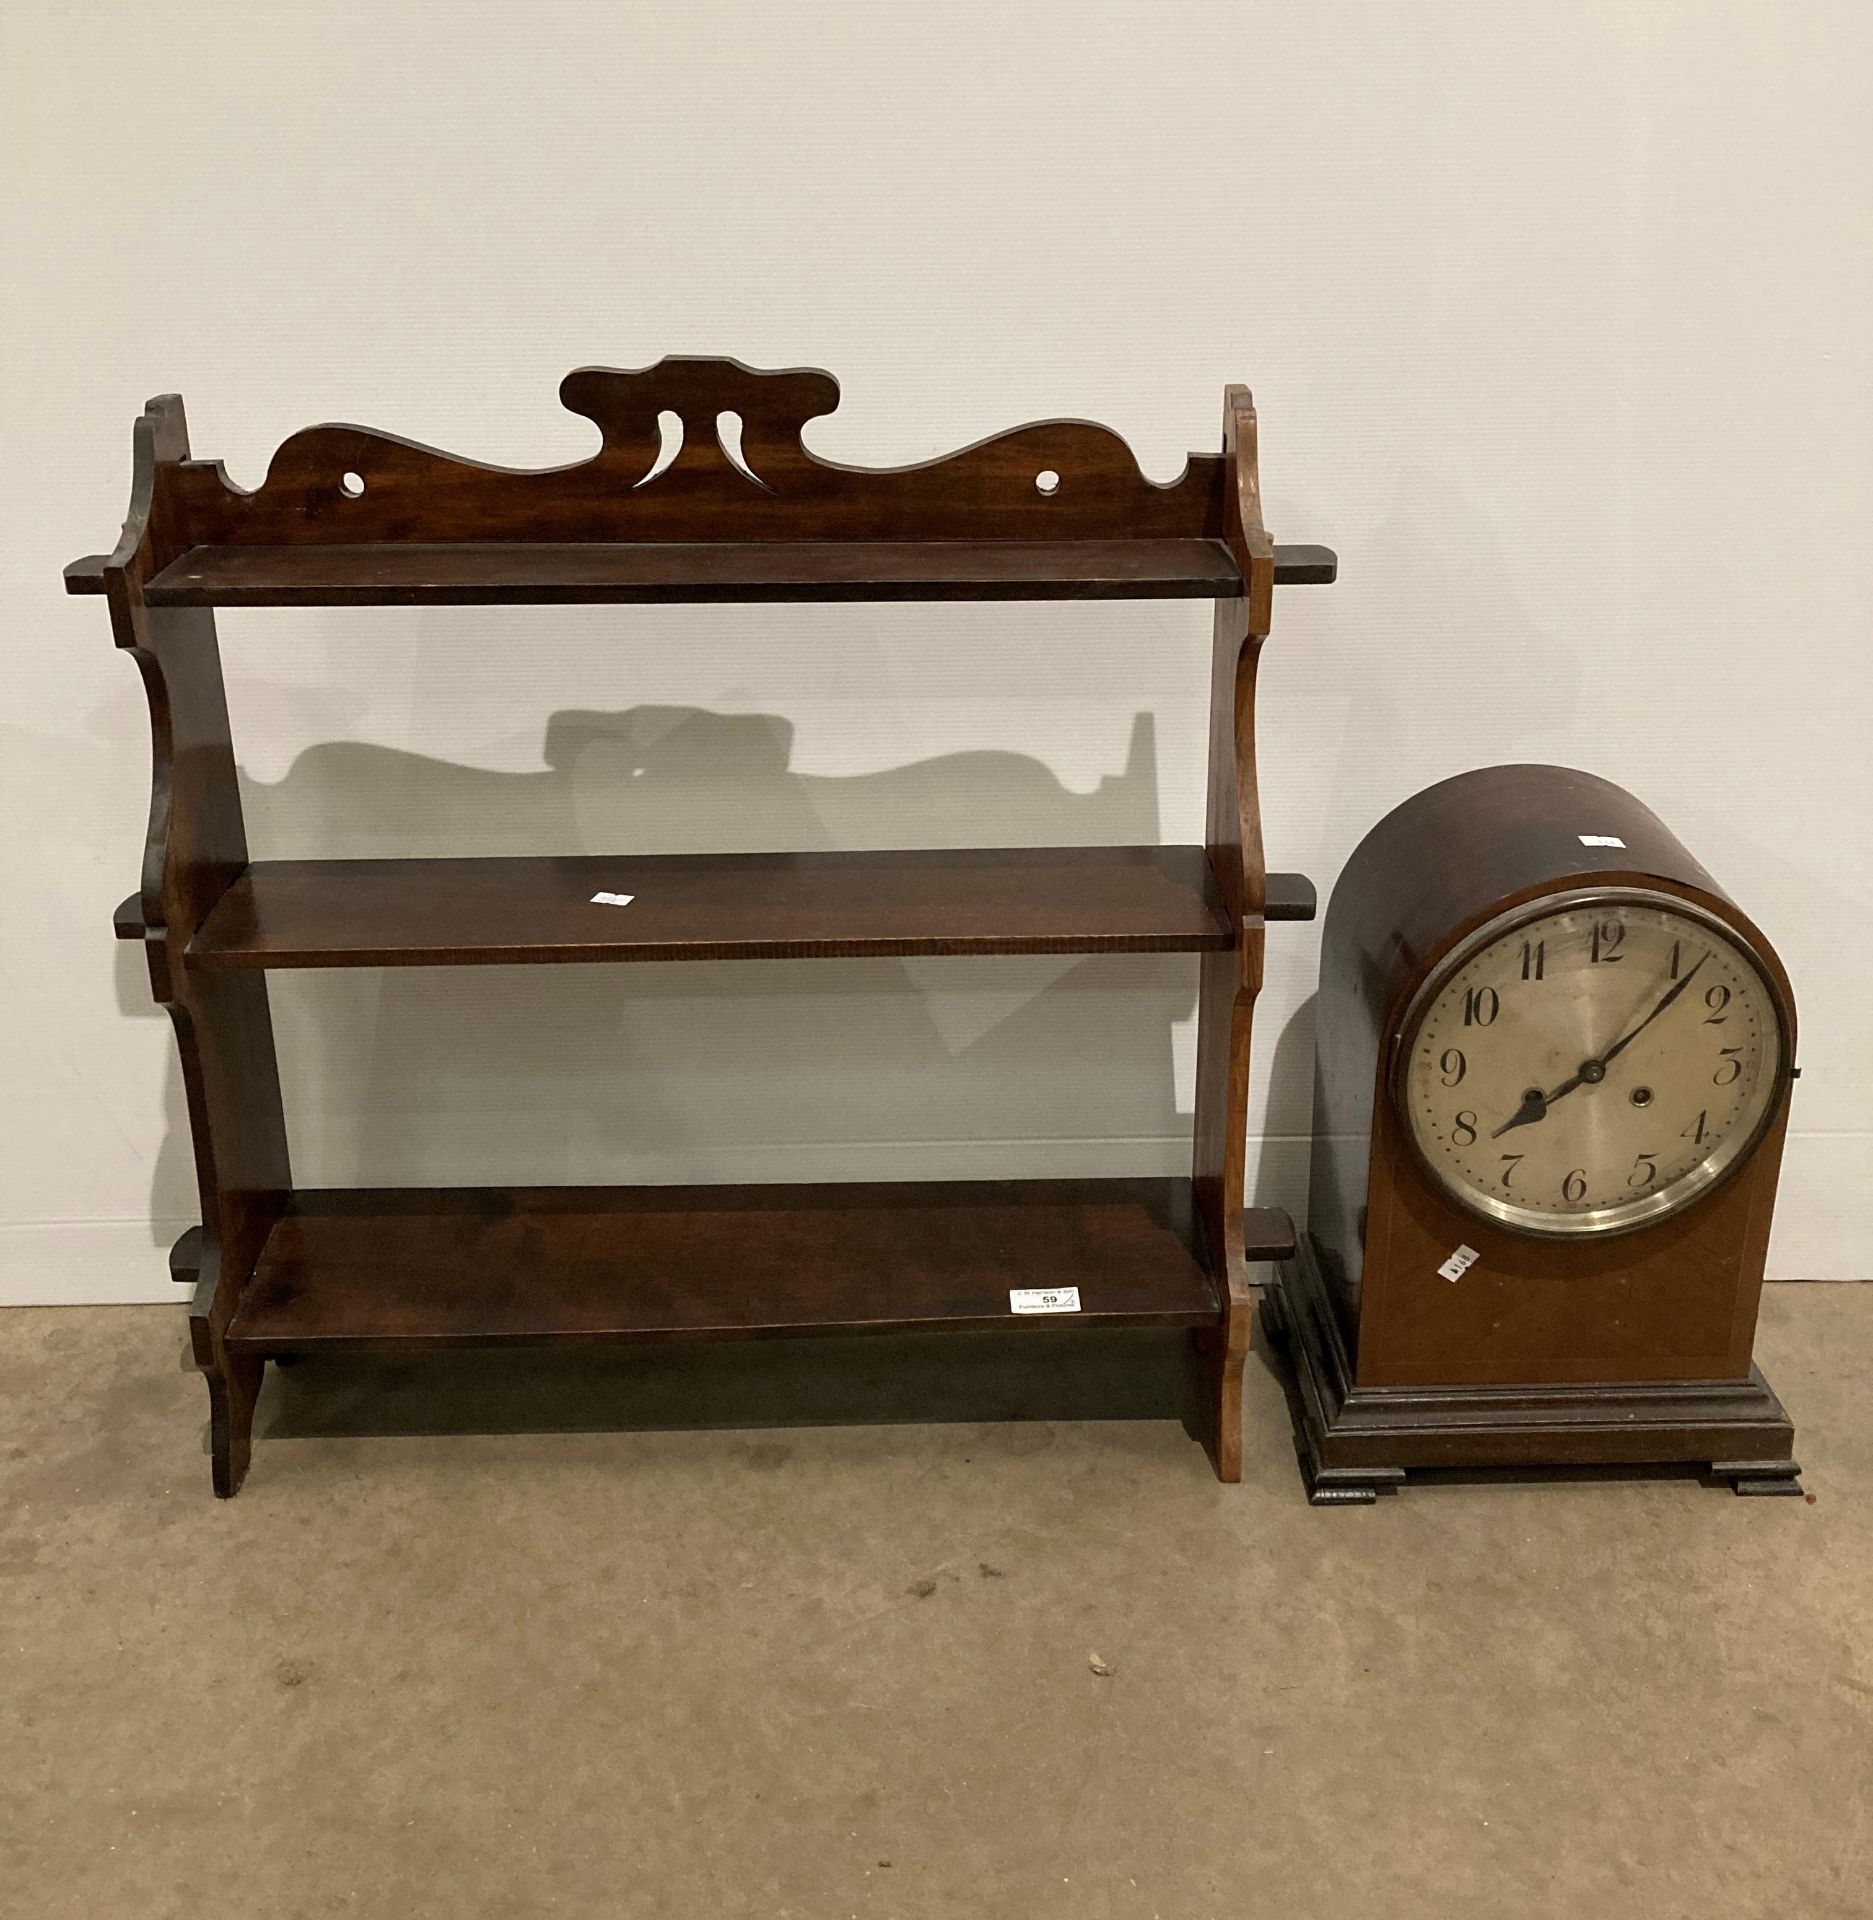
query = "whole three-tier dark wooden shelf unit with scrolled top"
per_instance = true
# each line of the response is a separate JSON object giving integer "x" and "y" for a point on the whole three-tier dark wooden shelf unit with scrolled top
{"x": 352, "y": 517}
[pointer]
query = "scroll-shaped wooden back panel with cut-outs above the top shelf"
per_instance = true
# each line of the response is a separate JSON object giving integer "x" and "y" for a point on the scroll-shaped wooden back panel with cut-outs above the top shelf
{"x": 696, "y": 450}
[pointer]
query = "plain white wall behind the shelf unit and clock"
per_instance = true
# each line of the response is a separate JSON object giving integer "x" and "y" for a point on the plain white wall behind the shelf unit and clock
{"x": 1557, "y": 318}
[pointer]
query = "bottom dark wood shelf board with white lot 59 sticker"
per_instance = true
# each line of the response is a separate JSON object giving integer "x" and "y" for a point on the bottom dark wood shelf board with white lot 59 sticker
{"x": 408, "y": 1268}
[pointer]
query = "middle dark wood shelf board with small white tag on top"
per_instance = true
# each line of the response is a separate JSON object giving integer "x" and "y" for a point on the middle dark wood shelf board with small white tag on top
{"x": 724, "y": 907}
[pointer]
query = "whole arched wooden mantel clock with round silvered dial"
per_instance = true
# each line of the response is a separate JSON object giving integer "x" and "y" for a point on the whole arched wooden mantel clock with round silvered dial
{"x": 1553, "y": 1082}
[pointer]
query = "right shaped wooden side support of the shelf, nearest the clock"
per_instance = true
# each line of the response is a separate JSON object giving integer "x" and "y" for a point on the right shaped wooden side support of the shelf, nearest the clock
{"x": 1231, "y": 980}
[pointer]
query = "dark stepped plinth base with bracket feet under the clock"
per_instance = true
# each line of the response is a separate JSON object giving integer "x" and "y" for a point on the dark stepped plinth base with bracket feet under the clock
{"x": 1362, "y": 1441}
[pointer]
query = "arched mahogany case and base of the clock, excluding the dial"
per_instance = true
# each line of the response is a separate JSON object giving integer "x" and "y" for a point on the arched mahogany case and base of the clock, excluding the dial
{"x": 1609, "y": 1349}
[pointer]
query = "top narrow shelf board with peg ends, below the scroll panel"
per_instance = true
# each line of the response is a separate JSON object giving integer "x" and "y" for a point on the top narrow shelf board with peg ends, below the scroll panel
{"x": 556, "y": 573}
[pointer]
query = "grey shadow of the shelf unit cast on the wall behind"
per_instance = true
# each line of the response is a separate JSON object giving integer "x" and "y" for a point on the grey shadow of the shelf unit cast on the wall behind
{"x": 957, "y": 1068}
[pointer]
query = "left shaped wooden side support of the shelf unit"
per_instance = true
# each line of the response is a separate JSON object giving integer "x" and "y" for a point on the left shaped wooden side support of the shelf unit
{"x": 195, "y": 850}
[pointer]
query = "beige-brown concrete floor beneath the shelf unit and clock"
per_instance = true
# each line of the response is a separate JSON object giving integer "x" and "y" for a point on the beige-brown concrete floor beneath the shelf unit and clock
{"x": 847, "y": 1669}
